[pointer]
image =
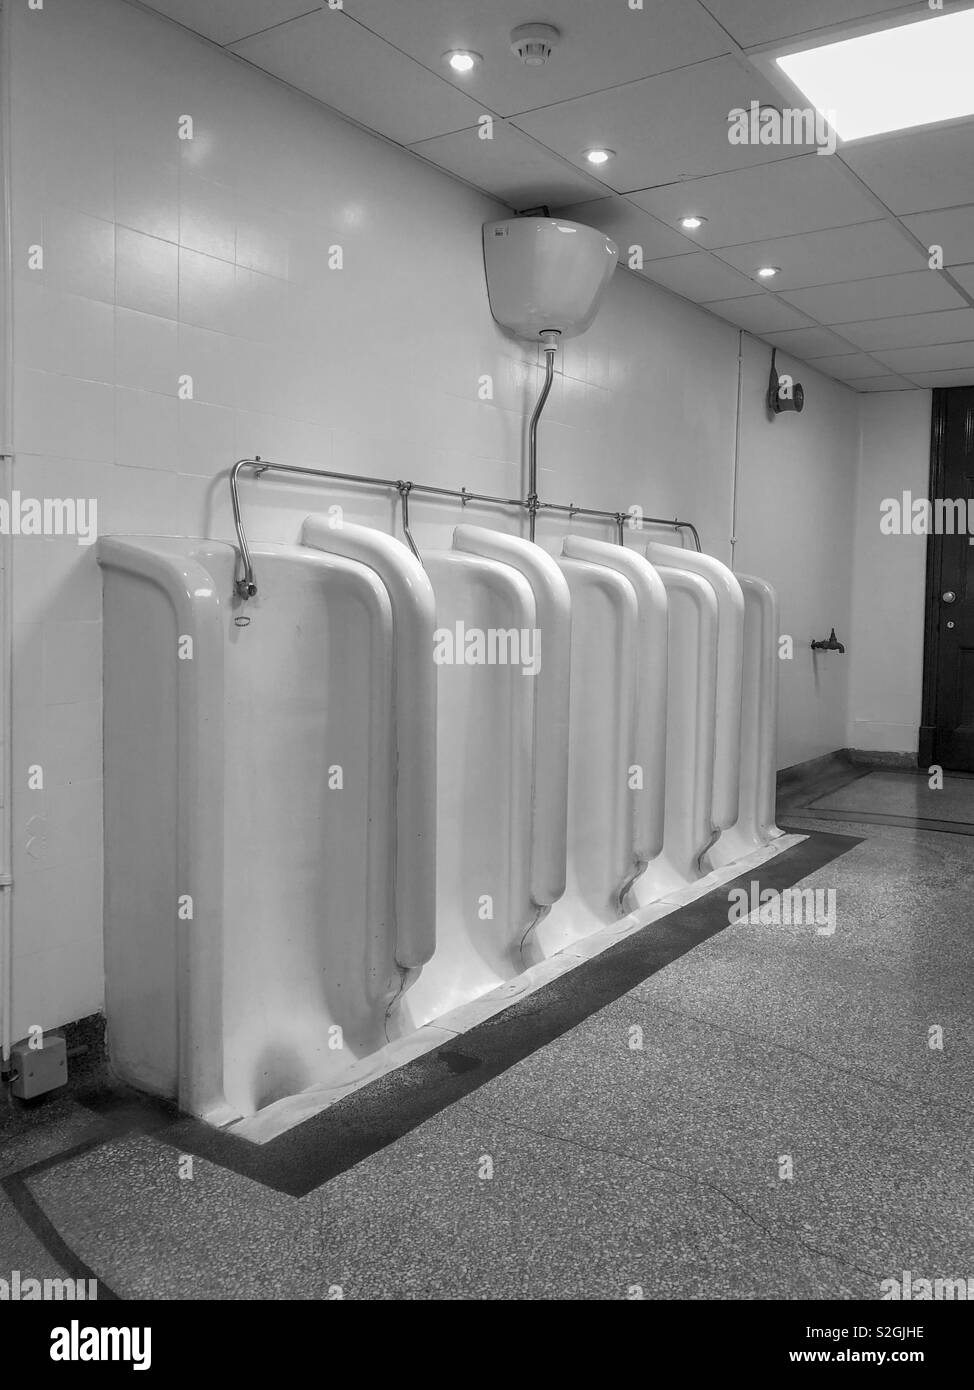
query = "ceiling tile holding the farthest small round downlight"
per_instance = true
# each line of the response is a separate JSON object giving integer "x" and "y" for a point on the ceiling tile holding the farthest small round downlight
{"x": 826, "y": 258}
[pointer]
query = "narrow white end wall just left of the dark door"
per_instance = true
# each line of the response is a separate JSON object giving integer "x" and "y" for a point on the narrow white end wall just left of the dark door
{"x": 890, "y": 578}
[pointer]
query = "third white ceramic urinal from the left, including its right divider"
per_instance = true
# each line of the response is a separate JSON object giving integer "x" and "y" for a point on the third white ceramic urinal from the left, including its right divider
{"x": 618, "y": 761}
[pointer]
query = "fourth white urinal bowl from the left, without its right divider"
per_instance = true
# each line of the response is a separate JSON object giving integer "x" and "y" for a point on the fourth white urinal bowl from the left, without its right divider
{"x": 690, "y": 737}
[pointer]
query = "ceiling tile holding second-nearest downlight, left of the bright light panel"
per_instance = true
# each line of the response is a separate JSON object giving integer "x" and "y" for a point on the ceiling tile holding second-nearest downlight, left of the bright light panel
{"x": 666, "y": 129}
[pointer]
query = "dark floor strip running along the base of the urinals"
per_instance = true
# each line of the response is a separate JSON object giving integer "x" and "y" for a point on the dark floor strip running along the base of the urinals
{"x": 388, "y": 1109}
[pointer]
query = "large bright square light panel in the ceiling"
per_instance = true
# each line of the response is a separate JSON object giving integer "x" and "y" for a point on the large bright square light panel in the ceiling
{"x": 891, "y": 80}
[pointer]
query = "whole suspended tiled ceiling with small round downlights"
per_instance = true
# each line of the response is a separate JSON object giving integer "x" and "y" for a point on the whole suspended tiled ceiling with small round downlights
{"x": 850, "y": 231}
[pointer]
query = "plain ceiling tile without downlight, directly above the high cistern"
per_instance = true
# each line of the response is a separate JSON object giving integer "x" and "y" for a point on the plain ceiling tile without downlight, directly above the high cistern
{"x": 512, "y": 167}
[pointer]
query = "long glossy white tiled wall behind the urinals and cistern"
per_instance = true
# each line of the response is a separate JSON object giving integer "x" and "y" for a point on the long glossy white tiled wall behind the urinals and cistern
{"x": 209, "y": 258}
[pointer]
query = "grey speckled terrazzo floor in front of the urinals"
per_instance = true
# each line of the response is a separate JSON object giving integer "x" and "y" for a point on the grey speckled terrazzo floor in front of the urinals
{"x": 763, "y": 1118}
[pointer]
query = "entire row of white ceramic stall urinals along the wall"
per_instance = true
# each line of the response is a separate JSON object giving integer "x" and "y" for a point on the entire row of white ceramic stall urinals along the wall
{"x": 384, "y": 789}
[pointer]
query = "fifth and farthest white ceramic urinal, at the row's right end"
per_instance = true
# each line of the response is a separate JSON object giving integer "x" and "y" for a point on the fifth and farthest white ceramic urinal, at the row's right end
{"x": 759, "y": 721}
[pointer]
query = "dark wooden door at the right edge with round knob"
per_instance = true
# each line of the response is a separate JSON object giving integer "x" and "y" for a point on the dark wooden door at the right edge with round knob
{"x": 948, "y": 736}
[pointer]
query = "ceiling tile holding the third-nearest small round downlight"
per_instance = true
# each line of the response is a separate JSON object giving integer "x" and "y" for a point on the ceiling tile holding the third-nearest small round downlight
{"x": 793, "y": 195}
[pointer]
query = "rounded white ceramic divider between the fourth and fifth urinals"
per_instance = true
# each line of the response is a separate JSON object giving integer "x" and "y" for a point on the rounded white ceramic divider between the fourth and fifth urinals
{"x": 730, "y": 679}
